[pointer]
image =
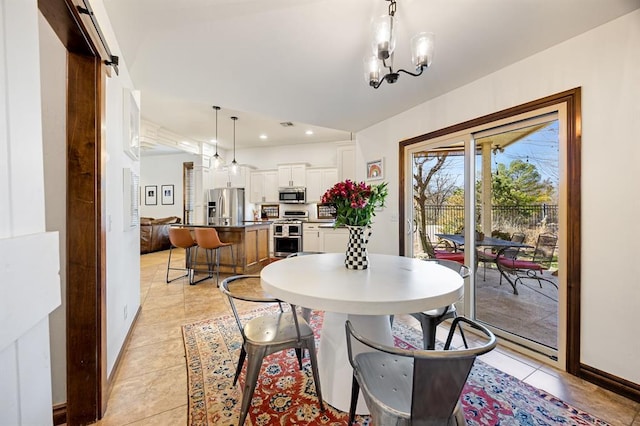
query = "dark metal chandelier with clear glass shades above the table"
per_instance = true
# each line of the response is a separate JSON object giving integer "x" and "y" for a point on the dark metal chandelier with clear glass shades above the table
{"x": 383, "y": 44}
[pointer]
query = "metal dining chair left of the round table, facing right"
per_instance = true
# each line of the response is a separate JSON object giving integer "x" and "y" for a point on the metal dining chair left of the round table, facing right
{"x": 266, "y": 334}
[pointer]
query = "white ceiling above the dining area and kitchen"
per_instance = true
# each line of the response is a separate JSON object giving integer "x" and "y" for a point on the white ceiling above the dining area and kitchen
{"x": 271, "y": 61}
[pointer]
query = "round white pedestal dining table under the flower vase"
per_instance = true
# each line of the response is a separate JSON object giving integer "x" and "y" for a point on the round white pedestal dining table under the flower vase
{"x": 390, "y": 285}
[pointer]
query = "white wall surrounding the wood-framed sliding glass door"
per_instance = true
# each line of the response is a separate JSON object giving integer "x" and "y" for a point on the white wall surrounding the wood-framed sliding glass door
{"x": 605, "y": 63}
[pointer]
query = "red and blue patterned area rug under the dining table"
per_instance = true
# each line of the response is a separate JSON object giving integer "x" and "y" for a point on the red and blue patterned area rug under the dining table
{"x": 285, "y": 395}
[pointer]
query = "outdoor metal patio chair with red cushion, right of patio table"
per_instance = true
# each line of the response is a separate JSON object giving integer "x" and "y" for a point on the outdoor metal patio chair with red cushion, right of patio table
{"x": 532, "y": 269}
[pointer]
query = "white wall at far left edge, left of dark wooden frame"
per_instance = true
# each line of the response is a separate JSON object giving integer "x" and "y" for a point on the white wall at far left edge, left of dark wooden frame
{"x": 29, "y": 294}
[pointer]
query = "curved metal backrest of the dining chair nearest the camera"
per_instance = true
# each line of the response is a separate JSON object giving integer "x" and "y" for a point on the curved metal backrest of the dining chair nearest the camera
{"x": 438, "y": 375}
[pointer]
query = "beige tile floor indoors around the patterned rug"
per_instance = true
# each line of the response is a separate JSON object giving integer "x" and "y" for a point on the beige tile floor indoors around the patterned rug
{"x": 150, "y": 387}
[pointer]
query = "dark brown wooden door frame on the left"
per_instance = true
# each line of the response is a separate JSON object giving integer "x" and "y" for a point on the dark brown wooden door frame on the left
{"x": 87, "y": 385}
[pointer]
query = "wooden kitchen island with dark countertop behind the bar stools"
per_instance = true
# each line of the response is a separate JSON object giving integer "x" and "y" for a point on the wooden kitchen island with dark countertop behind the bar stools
{"x": 250, "y": 247}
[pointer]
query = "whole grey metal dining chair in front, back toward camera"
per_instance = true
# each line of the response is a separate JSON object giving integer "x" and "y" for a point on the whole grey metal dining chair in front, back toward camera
{"x": 414, "y": 387}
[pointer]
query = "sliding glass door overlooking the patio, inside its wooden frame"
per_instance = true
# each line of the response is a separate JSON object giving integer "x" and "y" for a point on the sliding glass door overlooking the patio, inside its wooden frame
{"x": 491, "y": 192}
